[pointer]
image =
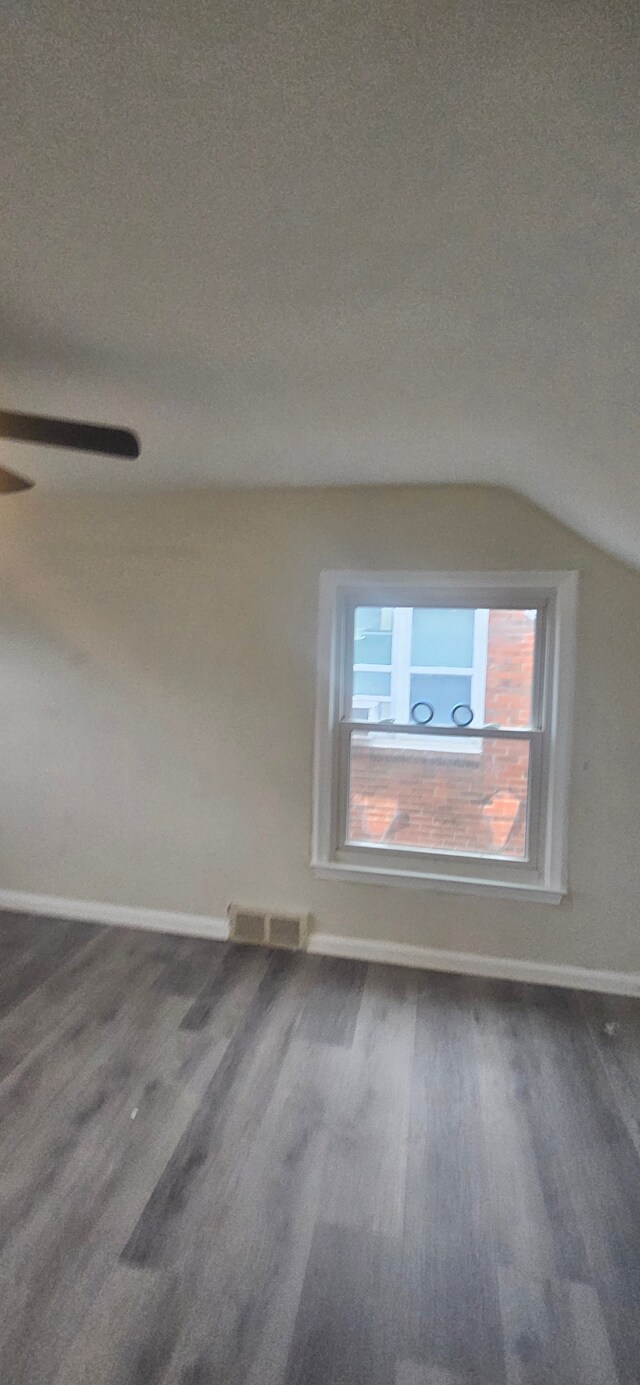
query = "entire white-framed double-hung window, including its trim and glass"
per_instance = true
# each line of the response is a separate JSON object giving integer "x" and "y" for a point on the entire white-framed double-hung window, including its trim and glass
{"x": 444, "y": 729}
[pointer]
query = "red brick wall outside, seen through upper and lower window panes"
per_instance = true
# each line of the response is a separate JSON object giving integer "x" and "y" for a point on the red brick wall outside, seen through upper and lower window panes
{"x": 473, "y": 803}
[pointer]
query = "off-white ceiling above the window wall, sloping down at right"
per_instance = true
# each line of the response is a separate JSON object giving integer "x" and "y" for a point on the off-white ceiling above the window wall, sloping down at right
{"x": 323, "y": 242}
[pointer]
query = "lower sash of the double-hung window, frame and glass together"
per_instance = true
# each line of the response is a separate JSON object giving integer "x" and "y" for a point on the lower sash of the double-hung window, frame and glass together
{"x": 422, "y": 810}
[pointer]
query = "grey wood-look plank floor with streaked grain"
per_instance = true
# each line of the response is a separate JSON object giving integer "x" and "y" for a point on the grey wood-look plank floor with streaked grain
{"x": 226, "y": 1167}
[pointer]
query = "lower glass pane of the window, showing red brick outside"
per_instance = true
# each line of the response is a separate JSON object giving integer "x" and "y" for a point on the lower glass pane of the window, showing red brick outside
{"x": 426, "y": 798}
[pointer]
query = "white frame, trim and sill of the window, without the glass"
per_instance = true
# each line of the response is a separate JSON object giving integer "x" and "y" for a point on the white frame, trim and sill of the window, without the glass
{"x": 542, "y": 876}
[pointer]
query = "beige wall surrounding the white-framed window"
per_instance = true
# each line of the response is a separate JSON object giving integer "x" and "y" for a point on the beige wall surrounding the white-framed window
{"x": 157, "y": 688}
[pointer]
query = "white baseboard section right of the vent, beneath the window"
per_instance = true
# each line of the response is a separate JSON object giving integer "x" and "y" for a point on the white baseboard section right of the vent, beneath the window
{"x": 476, "y": 965}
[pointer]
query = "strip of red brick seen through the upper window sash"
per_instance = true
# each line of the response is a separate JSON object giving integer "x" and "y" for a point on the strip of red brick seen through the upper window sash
{"x": 510, "y": 668}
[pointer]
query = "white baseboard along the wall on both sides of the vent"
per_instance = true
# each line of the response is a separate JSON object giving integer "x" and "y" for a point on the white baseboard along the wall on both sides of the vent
{"x": 333, "y": 945}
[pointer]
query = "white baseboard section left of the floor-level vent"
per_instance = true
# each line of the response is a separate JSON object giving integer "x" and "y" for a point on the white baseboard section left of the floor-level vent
{"x": 124, "y": 916}
